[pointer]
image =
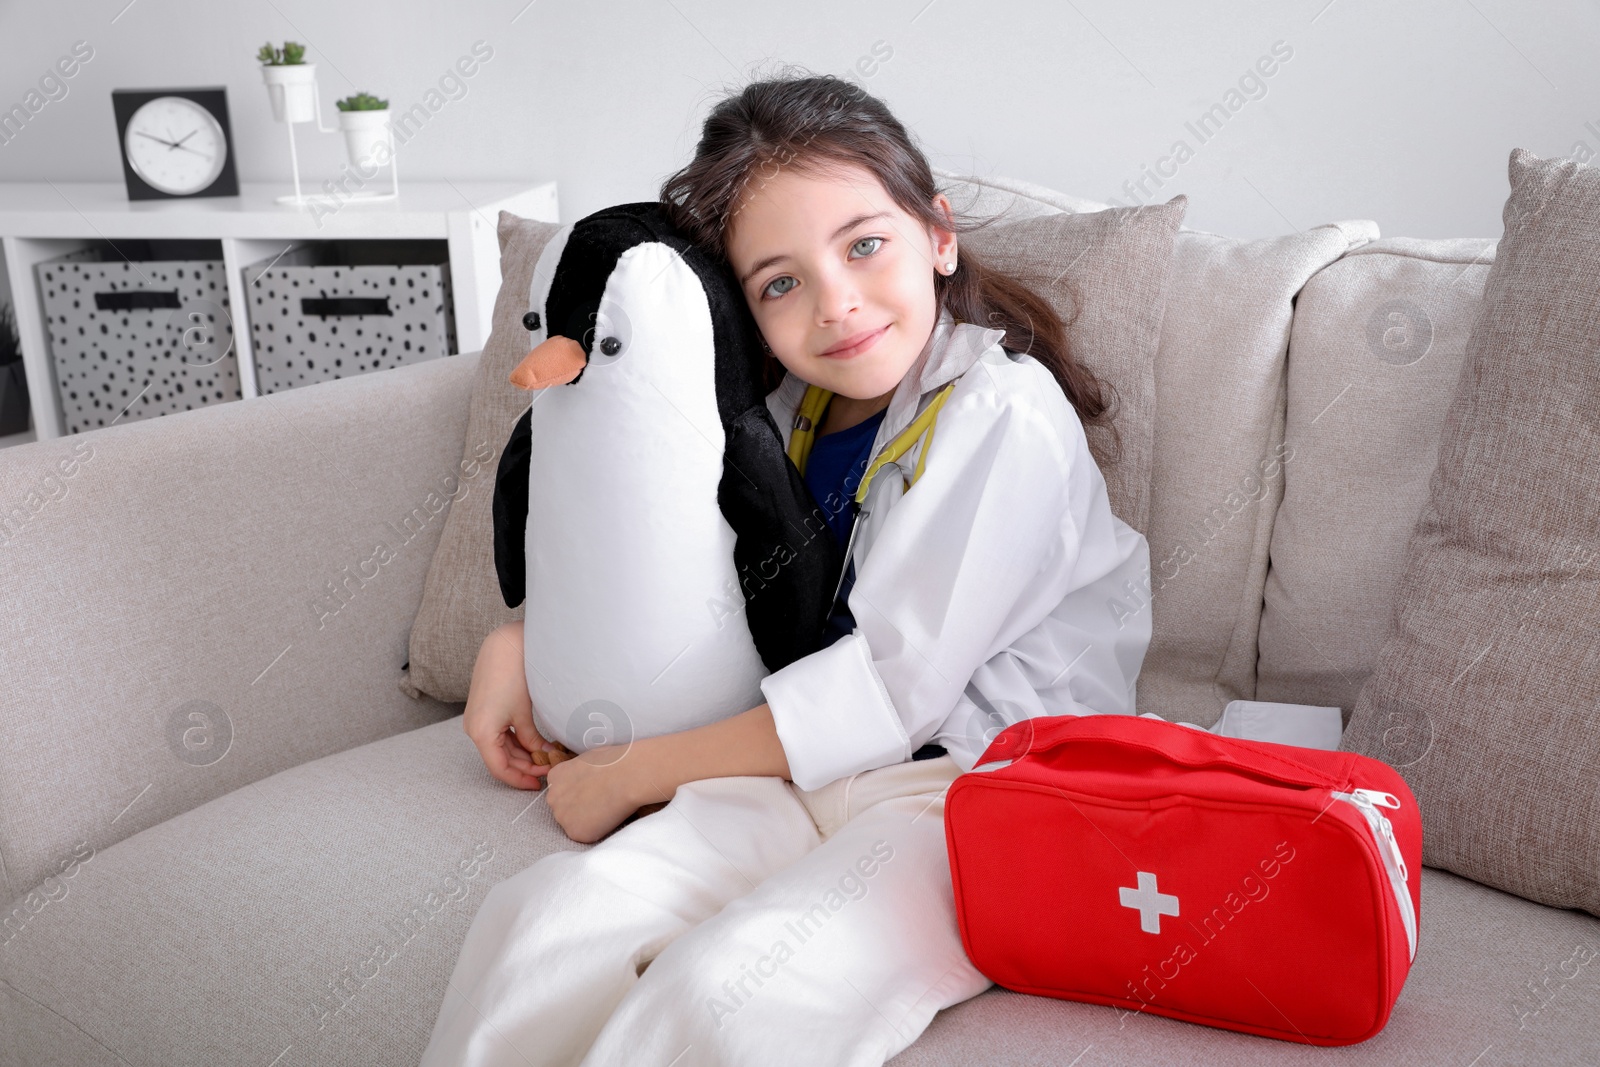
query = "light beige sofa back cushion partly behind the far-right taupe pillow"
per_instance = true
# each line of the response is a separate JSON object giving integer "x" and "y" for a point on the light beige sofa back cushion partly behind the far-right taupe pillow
{"x": 1375, "y": 354}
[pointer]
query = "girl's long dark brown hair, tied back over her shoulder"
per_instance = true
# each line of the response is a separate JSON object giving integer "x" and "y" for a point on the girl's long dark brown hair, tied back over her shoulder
{"x": 817, "y": 122}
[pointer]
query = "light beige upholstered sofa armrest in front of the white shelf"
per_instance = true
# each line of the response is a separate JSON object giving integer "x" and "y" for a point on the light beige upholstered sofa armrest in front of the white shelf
{"x": 201, "y": 601}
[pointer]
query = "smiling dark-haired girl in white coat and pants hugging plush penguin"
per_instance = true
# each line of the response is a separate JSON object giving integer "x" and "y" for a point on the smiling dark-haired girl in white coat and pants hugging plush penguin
{"x": 793, "y": 903}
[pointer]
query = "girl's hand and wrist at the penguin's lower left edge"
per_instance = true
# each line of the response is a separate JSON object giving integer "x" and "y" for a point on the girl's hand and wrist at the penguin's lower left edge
{"x": 500, "y": 714}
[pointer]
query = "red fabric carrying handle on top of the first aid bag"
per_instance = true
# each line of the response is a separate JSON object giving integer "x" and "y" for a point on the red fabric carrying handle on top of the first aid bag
{"x": 1169, "y": 740}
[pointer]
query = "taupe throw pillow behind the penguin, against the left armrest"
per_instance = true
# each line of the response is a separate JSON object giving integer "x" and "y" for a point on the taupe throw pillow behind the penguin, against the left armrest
{"x": 462, "y": 599}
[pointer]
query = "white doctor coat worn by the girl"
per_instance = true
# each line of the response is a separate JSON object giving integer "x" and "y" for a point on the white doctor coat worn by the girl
{"x": 999, "y": 588}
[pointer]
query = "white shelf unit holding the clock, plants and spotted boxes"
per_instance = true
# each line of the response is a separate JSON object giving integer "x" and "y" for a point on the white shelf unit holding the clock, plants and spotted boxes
{"x": 42, "y": 222}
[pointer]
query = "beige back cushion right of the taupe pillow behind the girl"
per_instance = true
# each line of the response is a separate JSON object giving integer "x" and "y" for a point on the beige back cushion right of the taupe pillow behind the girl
{"x": 1217, "y": 479}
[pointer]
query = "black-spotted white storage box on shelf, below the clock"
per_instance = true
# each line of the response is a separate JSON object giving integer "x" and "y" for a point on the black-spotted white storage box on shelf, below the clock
{"x": 138, "y": 330}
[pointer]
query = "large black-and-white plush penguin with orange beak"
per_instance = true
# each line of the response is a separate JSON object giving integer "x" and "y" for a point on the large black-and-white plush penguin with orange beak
{"x": 673, "y": 556}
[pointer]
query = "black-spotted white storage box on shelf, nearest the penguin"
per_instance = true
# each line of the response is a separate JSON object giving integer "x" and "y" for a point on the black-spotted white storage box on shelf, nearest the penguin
{"x": 348, "y": 308}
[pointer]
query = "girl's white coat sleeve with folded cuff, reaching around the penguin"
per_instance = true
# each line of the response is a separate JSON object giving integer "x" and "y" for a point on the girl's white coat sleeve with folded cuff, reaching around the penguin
{"x": 972, "y": 557}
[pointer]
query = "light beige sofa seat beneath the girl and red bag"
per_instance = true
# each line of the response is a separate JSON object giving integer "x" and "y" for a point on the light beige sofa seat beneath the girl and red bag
{"x": 318, "y": 916}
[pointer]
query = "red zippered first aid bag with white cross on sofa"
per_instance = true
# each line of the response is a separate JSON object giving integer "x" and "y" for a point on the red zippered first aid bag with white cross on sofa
{"x": 1153, "y": 866}
